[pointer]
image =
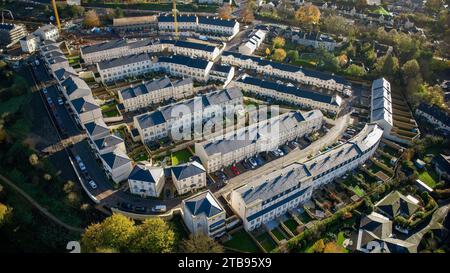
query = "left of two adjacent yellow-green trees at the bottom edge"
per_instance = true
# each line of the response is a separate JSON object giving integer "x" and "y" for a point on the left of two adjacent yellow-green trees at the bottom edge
{"x": 114, "y": 232}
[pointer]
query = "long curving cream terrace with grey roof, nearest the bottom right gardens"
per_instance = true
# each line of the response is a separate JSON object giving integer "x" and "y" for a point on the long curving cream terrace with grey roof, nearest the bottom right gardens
{"x": 272, "y": 195}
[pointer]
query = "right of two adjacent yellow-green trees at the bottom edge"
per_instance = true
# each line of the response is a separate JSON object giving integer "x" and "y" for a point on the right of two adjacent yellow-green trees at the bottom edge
{"x": 154, "y": 235}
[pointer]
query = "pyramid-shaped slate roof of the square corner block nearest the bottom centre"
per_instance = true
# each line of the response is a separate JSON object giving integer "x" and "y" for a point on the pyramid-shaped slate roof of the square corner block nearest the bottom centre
{"x": 203, "y": 203}
